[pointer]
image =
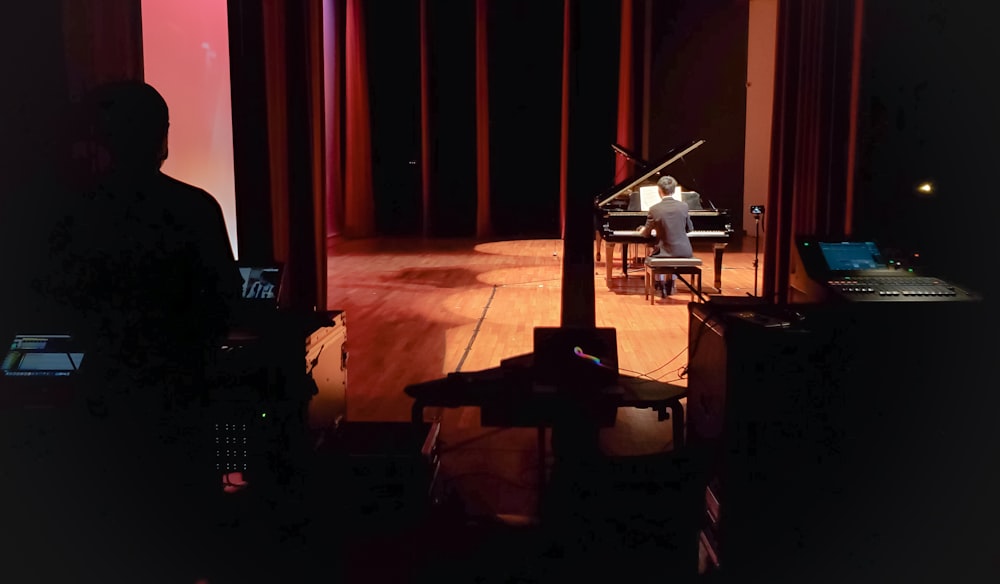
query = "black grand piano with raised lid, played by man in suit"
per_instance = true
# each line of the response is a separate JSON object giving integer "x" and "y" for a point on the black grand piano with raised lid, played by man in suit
{"x": 616, "y": 219}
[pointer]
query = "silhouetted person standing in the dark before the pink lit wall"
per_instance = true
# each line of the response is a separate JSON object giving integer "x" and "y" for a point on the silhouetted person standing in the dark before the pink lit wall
{"x": 144, "y": 274}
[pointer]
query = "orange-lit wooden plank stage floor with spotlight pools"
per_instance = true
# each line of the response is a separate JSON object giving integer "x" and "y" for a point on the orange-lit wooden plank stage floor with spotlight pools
{"x": 418, "y": 309}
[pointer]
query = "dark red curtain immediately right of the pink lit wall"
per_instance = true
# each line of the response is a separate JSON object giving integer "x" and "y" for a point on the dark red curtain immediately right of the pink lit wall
{"x": 284, "y": 91}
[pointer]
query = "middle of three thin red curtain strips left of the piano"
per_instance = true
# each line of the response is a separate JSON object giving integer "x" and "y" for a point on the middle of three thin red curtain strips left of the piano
{"x": 484, "y": 227}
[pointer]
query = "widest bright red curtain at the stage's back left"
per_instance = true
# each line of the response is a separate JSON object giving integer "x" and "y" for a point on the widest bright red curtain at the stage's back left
{"x": 359, "y": 204}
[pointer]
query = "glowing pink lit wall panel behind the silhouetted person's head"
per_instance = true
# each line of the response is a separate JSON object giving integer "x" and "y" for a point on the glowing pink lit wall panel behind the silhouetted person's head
{"x": 185, "y": 45}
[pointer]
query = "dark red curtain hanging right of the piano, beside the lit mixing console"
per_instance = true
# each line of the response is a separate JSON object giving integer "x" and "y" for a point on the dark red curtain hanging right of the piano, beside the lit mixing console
{"x": 815, "y": 79}
